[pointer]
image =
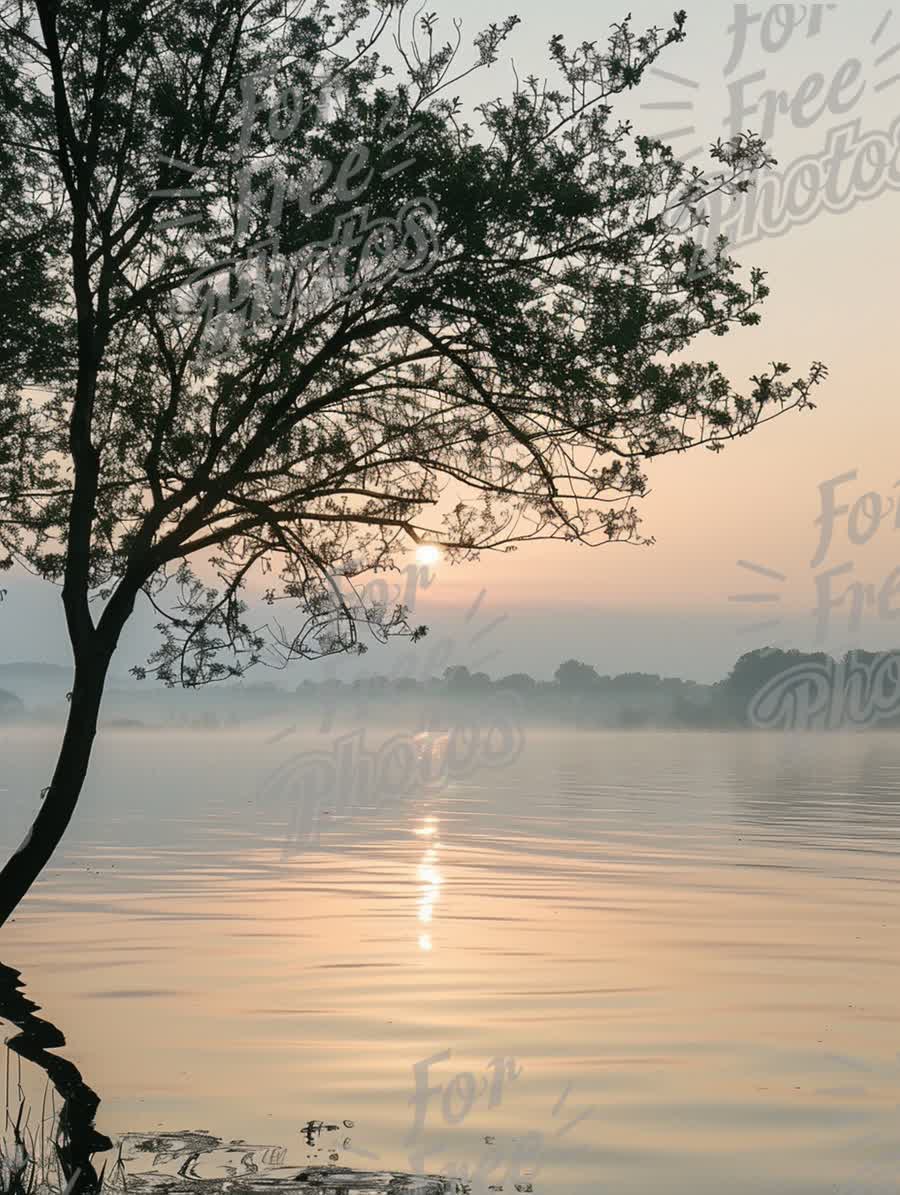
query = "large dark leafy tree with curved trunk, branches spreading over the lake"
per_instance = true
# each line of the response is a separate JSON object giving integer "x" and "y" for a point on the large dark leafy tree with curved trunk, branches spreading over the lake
{"x": 466, "y": 332}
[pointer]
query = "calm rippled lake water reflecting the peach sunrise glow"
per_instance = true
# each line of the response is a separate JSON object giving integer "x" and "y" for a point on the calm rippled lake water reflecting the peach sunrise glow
{"x": 636, "y": 961}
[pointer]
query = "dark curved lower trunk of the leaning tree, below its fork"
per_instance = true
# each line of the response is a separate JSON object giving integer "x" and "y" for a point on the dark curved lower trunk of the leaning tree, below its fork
{"x": 62, "y": 798}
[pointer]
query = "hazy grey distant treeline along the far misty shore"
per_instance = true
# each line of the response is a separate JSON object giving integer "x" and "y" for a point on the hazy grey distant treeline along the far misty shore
{"x": 762, "y": 685}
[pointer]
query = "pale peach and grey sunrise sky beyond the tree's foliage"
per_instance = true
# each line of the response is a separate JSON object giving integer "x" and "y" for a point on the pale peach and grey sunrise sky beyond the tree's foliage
{"x": 834, "y": 73}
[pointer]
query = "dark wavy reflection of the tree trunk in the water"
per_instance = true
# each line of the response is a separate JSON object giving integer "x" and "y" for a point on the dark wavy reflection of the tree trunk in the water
{"x": 77, "y": 1139}
